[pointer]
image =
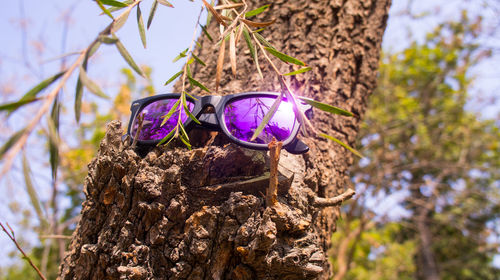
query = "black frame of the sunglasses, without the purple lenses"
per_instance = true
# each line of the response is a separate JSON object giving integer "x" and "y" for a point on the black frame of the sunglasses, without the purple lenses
{"x": 215, "y": 121}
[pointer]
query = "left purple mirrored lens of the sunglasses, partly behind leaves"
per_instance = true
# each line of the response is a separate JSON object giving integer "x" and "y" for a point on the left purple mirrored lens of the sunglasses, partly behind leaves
{"x": 153, "y": 117}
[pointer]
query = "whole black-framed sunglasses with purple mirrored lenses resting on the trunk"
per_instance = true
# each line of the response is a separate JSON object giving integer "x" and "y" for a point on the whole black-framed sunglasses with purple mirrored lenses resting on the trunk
{"x": 236, "y": 115}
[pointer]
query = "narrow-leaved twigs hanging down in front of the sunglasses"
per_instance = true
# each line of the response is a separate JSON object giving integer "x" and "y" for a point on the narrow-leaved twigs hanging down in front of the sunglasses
{"x": 233, "y": 25}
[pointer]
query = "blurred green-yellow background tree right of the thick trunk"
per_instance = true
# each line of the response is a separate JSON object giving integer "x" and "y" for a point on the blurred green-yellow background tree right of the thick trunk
{"x": 431, "y": 161}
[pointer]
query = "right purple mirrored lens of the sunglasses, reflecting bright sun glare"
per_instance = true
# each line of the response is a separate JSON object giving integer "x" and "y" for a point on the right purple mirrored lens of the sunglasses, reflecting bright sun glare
{"x": 243, "y": 116}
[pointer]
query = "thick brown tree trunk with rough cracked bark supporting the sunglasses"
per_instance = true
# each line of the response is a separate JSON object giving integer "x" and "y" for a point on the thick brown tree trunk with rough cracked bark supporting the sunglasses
{"x": 200, "y": 214}
